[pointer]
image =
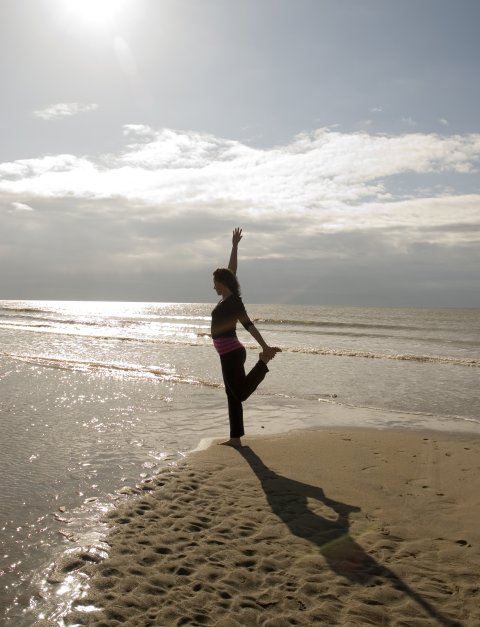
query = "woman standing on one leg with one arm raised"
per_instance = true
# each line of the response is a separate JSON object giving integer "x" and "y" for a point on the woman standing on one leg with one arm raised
{"x": 230, "y": 310}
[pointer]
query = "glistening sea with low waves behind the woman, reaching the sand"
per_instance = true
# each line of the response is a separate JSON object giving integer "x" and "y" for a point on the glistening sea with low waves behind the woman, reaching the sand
{"x": 97, "y": 397}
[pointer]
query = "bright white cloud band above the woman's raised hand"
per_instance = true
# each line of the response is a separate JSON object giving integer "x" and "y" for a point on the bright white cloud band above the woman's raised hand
{"x": 316, "y": 170}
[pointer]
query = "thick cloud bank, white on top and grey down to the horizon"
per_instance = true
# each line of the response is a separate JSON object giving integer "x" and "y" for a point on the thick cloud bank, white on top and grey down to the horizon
{"x": 159, "y": 212}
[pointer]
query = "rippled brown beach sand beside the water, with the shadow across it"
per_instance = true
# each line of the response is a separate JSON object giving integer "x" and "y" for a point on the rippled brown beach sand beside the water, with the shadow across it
{"x": 327, "y": 527}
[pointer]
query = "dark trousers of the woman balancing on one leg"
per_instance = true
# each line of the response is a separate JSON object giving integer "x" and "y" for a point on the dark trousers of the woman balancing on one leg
{"x": 239, "y": 385}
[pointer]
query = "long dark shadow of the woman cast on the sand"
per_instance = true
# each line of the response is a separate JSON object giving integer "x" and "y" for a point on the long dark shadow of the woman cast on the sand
{"x": 288, "y": 500}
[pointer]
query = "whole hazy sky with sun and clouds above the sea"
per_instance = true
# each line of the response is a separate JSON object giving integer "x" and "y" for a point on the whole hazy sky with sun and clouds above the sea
{"x": 343, "y": 136}
